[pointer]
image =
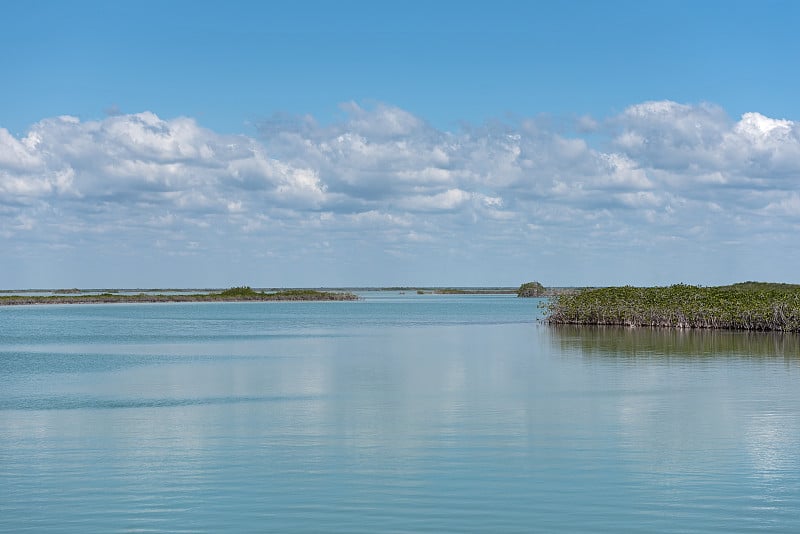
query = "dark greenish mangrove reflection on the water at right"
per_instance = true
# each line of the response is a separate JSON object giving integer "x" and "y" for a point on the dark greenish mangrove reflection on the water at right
{"x": 670, "y": 342}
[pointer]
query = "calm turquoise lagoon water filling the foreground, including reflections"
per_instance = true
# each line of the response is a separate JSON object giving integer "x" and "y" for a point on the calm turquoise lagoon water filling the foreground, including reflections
{"x": 398, "y": 413}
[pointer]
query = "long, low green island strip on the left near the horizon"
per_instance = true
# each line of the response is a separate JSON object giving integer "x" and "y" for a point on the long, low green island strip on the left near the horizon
{"x": 233, "y": 294}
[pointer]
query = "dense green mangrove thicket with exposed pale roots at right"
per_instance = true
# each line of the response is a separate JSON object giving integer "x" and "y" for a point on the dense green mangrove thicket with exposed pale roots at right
{"x": 745, "y": 306}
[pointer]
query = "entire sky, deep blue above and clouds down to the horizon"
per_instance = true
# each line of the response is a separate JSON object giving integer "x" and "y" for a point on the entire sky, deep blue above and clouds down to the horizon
{"x": 338, "y": 144}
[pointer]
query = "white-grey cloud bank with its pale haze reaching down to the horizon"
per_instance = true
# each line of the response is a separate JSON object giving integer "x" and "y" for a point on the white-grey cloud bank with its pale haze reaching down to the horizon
{"x": 661, "y": 192}
